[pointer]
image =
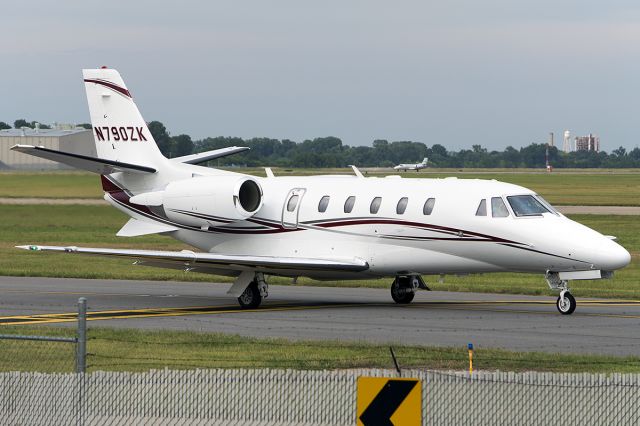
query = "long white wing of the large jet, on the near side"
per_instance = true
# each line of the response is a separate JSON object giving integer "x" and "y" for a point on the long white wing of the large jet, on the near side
{"x": 208, "y": 262}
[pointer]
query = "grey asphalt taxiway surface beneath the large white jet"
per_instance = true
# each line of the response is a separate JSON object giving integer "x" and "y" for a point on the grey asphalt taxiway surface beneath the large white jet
{"x": 521, "y": 323}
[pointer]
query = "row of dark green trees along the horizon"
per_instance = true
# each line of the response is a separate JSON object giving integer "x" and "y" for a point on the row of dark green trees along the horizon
{"x": 331, "y": 152}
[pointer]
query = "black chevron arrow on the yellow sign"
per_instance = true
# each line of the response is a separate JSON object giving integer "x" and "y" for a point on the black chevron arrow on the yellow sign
{"x": 386, "y": 402}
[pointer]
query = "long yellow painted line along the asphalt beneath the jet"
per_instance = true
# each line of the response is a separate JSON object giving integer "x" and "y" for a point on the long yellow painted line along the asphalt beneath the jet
{"x": 471, "y": 305}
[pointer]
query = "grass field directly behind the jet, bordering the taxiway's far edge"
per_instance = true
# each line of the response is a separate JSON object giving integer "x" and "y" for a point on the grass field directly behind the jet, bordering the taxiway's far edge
{"x": 76, "y": 225}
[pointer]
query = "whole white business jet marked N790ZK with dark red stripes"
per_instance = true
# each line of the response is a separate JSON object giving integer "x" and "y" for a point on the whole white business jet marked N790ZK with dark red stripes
{"x": 323, "y": 227}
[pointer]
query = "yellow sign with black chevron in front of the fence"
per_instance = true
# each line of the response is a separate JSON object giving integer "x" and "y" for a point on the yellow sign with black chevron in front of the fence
{"x": 389, "y": 401}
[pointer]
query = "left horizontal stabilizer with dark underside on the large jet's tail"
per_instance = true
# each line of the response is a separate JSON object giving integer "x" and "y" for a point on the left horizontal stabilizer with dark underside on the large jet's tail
{"x": 83, "y": 162}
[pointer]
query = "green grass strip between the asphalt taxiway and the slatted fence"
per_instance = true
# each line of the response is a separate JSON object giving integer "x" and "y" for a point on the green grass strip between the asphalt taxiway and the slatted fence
{"x": 141, "y": 350}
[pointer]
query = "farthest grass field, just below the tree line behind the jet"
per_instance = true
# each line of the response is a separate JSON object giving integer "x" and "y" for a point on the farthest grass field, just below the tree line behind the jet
{"x": 567, "y": 187}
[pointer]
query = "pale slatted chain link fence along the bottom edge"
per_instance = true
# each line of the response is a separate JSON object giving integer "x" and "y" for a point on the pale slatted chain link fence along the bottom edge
{"x": 281, "y": 397}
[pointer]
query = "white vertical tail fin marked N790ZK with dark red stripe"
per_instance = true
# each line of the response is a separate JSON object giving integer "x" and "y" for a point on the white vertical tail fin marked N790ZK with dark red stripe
{"x": 120, "y": 132}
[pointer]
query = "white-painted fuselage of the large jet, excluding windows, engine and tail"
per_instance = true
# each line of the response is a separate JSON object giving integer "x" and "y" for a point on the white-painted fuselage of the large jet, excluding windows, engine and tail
{"x": 535, "y": 244}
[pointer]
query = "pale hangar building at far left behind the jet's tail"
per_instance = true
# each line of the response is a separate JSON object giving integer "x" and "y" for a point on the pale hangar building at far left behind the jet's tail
{"x": 75, "y": 140}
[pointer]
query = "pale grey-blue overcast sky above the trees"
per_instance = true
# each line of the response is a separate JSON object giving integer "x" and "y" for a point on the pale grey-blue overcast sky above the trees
{"x": 455, "y": 72}
